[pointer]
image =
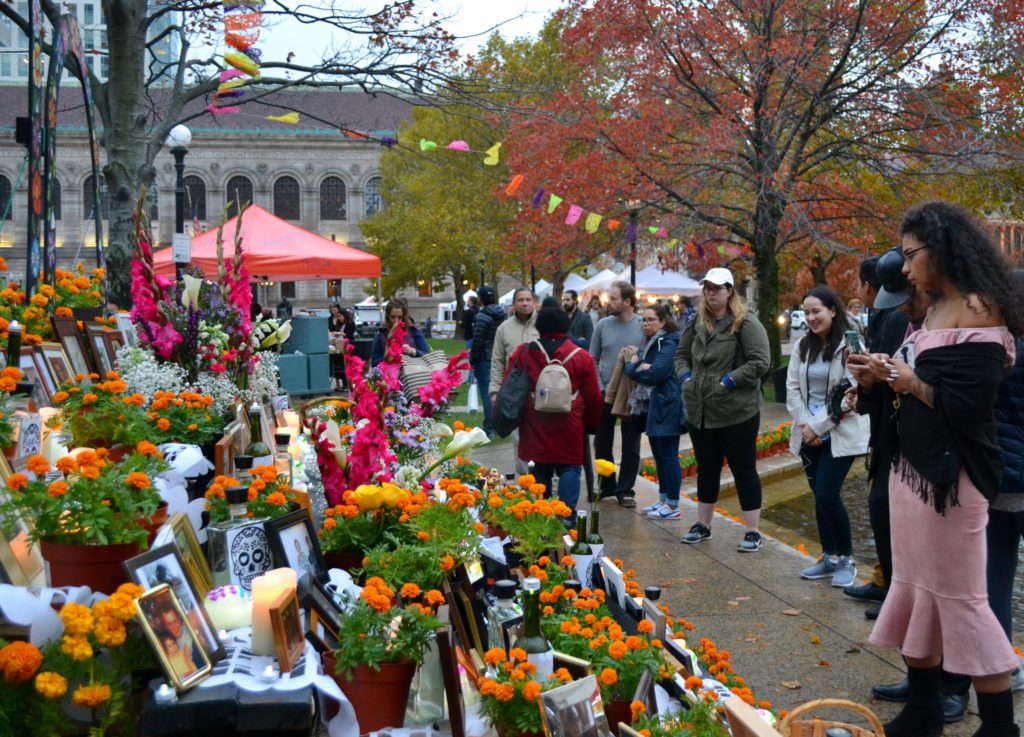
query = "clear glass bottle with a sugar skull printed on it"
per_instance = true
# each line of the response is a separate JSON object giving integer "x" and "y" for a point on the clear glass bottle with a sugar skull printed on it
{"x": 240, "y": 550}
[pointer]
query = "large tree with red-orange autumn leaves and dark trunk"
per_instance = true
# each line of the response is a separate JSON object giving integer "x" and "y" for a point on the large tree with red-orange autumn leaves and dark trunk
{"x": 757, "y": 121}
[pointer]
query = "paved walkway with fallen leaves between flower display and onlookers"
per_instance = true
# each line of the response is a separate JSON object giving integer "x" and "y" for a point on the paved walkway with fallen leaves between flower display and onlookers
{"x": 756, "y": 606}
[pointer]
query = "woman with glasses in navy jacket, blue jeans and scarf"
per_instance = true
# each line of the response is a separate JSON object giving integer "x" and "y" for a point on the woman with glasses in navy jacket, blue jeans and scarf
{"x": 656, "y": 404}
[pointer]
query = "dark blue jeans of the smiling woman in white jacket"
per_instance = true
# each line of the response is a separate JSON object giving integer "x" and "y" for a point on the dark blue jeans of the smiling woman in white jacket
{"x": 826, "y": 475}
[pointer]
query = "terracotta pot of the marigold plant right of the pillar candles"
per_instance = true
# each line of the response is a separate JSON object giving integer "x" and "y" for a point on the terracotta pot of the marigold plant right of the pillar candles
{"x": 378, "y": 698}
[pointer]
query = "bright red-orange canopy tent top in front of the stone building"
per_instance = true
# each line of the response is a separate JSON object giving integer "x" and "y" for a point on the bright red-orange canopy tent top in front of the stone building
{"x": 276, "y": 249}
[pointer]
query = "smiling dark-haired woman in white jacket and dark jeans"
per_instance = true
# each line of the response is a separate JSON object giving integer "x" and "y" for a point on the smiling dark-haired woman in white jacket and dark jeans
{"x": 826, "y": 437}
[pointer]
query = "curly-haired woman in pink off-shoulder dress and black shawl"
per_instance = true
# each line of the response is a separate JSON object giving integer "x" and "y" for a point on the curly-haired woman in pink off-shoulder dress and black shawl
{"x": 947, "y": 469}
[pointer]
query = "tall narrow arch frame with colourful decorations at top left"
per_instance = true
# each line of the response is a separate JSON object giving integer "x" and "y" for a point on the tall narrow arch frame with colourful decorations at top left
{"x": 42, "y": 144}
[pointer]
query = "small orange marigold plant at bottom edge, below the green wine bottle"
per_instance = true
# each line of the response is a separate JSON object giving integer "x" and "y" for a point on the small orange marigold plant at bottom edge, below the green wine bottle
{"x": 509, "y": 693}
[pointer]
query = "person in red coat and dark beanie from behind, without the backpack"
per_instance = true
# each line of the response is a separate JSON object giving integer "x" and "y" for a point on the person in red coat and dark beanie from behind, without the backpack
{"x": 552, "y": 441}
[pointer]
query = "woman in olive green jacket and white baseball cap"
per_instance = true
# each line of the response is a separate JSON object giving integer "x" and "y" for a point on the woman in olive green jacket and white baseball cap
{"x": 721, "y": 360}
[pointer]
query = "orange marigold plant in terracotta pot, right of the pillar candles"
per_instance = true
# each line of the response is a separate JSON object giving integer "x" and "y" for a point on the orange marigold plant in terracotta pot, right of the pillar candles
{"x": 382, "y": 639}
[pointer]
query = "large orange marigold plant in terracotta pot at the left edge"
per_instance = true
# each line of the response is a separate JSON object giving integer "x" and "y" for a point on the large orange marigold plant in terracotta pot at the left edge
{"x": 90, "y": 513}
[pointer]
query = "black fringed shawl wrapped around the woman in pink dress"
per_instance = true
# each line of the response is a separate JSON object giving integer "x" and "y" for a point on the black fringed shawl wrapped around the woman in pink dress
{"x": 960, "y": 432}
